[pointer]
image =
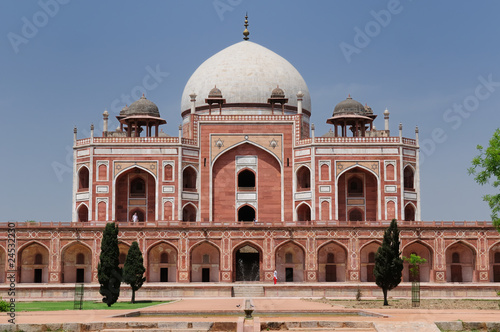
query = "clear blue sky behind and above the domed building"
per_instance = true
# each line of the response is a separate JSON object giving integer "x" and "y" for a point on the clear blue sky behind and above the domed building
{"x": 432, "y": 64}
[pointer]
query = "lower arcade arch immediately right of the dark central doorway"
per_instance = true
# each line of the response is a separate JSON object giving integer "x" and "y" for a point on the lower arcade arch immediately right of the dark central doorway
{"x": 290, "y": 262}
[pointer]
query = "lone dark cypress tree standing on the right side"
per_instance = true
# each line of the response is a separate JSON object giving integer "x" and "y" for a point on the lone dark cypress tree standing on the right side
{"x": 388, "y": 263}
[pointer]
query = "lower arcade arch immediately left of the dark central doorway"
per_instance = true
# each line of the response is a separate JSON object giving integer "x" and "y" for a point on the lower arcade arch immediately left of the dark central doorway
{"x": 205, "y": 258}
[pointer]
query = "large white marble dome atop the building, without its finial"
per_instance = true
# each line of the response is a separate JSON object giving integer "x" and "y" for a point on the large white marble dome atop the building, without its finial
{"x": 245, "y": 73}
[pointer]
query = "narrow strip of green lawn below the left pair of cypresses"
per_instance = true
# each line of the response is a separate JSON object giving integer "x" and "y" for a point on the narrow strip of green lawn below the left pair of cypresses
{"x": 87, "y": 305}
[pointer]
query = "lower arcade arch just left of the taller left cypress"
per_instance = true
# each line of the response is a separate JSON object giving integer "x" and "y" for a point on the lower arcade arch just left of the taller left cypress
{"x": 76, "y": 263}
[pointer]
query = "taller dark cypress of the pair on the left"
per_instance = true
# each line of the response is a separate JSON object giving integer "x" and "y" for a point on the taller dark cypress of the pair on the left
{"x": 108, "y": 271}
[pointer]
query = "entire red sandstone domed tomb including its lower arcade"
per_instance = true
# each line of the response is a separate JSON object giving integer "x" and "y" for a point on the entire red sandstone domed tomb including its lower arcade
{"x": 247, "y": 187}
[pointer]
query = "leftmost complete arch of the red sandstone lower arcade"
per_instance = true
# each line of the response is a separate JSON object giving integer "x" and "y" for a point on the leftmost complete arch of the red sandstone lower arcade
{"x": 34, "y": 263}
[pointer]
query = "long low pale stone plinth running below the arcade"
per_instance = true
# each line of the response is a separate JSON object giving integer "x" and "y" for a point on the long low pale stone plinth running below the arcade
{"x": 344, "y": 290}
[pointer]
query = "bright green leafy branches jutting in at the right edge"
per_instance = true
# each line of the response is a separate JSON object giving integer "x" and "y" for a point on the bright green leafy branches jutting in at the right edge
{"x": 486, "y": 166}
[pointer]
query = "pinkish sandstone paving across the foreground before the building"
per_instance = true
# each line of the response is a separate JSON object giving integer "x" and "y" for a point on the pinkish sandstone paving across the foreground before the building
{"x": 268, "y": 310}
